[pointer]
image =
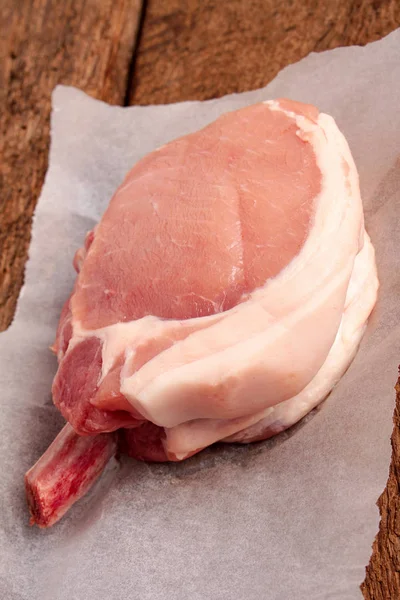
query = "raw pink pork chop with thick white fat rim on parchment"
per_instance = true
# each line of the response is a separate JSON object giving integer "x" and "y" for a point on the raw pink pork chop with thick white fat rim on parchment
{"x": 222, "y": 295}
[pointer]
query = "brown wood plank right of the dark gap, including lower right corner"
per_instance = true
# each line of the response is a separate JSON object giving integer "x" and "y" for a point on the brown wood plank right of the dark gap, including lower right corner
{"x": 201, "y": 49}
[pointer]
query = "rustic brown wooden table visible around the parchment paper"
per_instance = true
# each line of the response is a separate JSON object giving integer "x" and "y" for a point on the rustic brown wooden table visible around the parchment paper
{"x": 158, "y": 51}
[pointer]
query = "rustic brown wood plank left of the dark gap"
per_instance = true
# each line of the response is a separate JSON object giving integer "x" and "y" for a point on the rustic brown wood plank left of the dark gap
{"x": 45, "y": 42}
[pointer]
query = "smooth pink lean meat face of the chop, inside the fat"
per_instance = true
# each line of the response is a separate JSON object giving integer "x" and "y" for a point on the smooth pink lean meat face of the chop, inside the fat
{"x": 189, "y": 232}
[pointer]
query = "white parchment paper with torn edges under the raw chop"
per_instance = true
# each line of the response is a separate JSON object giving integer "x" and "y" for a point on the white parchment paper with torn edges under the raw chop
{"x": 290, "y": 519}
